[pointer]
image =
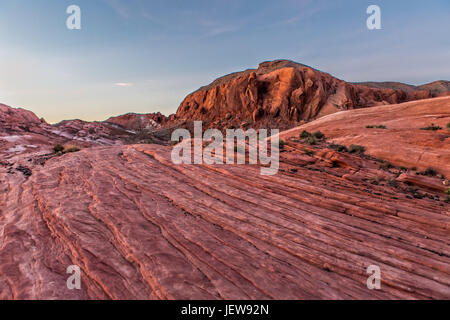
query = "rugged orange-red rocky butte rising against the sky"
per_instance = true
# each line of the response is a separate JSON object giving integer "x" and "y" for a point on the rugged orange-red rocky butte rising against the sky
{"x": 284, "y": 93}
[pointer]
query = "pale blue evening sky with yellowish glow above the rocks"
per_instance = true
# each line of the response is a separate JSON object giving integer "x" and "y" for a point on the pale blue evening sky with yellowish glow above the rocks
{"x": 145, "y": 56}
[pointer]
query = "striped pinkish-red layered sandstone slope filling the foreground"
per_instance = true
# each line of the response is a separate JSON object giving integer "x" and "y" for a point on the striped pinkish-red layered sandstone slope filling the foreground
{"x": 140, "y": 227}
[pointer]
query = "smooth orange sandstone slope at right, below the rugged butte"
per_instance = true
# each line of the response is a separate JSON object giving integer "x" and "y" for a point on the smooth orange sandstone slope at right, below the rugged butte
{"x": 402, "y": 142}
